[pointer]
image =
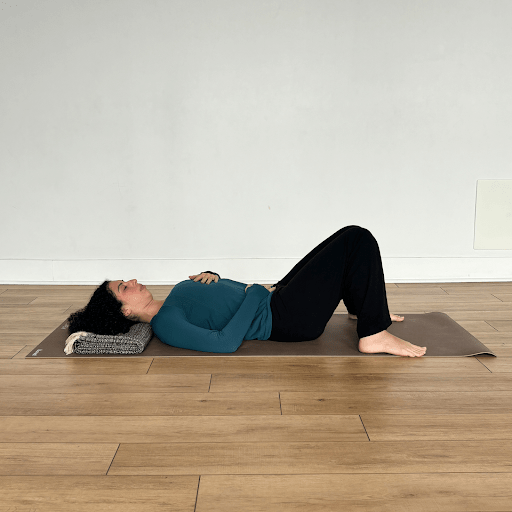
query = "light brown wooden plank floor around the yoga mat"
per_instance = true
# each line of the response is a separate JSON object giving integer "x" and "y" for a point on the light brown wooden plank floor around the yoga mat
{"x": 257, "y": 434}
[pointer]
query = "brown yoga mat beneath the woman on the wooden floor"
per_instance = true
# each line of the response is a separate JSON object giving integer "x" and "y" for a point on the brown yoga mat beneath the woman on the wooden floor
{"x": 442, "y": 336}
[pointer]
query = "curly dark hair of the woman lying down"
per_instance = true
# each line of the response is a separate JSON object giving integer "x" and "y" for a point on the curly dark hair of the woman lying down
{"x": 102, "y": 315}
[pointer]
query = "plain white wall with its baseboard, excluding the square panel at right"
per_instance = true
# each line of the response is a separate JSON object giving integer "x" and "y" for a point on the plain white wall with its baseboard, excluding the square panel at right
{"x": 159, "y": 138}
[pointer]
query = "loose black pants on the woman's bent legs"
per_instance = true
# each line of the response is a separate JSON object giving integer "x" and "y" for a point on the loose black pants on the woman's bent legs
{"x": 347, "y": 266}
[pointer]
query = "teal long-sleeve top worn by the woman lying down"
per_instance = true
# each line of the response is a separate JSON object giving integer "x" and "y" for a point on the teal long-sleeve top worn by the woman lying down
{"x": 214, "y": 317}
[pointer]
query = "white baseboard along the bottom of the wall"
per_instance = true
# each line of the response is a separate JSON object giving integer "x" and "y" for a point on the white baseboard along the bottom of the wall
{"x": 246, "y": 270}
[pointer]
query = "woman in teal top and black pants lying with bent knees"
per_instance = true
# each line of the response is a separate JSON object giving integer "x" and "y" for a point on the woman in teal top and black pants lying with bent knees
{"x": 211, "y": 314}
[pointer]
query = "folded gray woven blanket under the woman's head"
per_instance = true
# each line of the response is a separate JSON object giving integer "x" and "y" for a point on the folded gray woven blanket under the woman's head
{"x": 132, "y": 342}
